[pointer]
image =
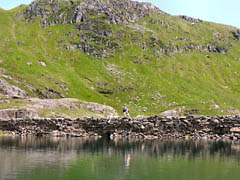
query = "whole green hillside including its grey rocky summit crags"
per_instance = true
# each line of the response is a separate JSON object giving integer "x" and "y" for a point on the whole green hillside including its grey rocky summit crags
{"x": 122, "y": 52}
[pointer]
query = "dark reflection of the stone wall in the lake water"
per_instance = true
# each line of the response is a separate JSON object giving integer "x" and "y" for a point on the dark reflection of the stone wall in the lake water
{"x": 125, "y": 147}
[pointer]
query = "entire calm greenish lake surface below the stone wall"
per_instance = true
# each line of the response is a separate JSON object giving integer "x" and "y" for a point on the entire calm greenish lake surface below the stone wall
{"x": 89, "y": 159}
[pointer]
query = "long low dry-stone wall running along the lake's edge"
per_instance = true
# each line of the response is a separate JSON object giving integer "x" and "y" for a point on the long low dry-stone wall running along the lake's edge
{"x": 195, "y": 127}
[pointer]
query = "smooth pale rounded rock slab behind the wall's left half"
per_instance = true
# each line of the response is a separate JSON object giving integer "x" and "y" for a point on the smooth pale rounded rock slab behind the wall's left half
{"x": 33, "y": 106}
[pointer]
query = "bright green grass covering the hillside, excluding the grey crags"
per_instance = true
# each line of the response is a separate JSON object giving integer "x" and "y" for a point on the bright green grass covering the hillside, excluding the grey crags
{"x": 187, "y": 80}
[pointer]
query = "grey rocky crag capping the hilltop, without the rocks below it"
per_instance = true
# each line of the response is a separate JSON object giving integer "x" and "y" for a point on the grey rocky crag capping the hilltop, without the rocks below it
{"x": 114, "y": 11}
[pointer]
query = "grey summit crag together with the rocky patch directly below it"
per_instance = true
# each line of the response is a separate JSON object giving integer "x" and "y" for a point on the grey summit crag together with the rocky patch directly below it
{"x": 93, "y": 19}
